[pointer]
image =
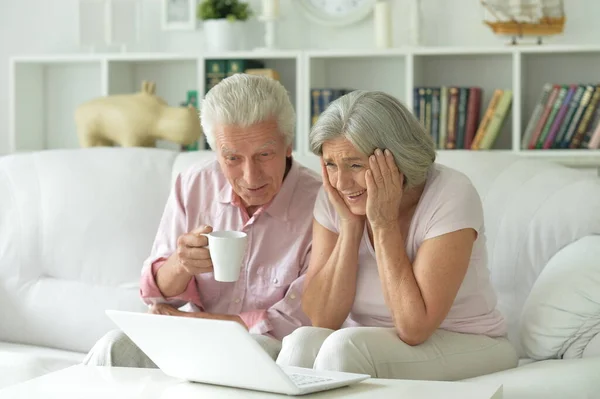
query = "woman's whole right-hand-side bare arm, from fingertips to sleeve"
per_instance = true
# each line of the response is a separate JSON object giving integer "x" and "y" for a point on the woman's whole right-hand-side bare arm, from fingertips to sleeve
{"x": 419, "y": 295}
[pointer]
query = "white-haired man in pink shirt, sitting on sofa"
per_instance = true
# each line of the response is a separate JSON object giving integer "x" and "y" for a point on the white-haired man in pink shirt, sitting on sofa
{"x": 254, "y": 186}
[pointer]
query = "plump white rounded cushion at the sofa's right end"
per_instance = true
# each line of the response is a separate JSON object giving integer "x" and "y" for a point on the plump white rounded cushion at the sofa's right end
{"x": 561, "y": 315}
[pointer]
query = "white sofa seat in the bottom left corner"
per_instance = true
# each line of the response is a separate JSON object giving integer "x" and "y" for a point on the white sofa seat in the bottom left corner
{"x": 20, "y": 363}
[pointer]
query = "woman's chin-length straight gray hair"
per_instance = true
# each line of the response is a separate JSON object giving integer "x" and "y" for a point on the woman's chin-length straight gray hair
{"x": 374, "y": 119}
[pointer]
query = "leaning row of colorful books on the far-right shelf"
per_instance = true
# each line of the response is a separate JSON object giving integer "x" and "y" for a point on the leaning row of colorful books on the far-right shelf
{"x": 565, "y": 116}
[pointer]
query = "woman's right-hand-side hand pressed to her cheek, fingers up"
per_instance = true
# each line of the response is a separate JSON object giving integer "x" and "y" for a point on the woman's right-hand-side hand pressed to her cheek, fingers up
{"x": 384, "y": 189}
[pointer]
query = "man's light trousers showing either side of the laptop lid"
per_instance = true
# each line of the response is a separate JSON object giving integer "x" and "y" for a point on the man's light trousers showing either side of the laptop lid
{"x": 115, "y": 349}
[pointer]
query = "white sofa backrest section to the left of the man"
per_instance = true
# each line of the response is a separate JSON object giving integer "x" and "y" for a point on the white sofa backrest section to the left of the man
{"x": 75, "y": 228}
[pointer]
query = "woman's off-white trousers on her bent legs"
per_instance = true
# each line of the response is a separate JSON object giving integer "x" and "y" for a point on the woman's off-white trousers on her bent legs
{"x": 379, "y": 352}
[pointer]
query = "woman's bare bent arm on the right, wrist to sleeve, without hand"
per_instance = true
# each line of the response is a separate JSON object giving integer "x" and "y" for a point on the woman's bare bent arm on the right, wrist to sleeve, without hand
{"x": 420, "y": 295}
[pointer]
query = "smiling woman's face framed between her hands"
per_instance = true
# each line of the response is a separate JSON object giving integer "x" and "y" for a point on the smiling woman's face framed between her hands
{"x": 346, "y": 167}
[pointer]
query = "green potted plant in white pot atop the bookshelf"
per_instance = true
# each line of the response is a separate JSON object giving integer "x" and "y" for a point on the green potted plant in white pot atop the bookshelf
{"x": 223, "y": 23}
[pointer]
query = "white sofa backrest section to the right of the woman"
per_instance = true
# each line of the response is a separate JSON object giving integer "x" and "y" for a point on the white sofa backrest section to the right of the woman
{"x": 532, "y": 209}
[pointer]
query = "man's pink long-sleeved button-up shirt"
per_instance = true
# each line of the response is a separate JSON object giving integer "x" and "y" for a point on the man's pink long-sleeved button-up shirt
{"x": 268, "y": 292}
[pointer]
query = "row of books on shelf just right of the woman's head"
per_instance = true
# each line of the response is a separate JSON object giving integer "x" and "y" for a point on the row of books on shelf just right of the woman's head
{"x": 451, "y": 115}
